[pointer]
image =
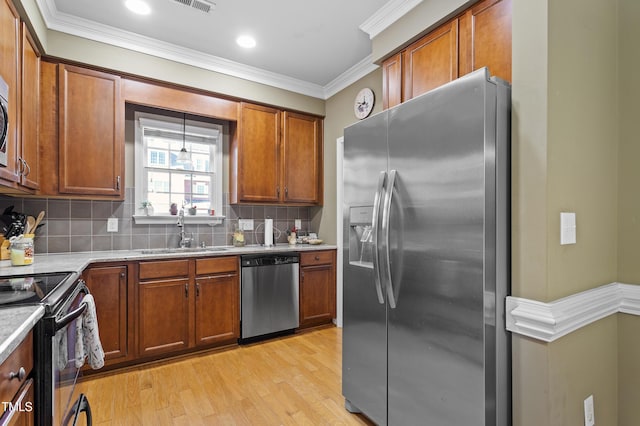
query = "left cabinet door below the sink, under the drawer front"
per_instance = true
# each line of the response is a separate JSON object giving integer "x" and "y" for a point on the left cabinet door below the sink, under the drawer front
{"x": 163, "y": 316}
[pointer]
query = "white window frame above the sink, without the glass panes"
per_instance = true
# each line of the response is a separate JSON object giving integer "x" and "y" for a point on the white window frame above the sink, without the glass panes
{"x": 175, "y": 124}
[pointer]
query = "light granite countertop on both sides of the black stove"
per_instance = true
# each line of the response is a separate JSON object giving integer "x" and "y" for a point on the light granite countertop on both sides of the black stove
{"x": 16, "y": 322}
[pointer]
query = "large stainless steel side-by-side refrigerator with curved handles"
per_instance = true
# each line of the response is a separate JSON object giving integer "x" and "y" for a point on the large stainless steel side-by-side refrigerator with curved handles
{"x": 426, "y": 258}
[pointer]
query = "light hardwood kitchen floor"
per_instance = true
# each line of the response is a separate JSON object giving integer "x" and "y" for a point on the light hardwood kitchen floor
{"x": 294, "y": 380}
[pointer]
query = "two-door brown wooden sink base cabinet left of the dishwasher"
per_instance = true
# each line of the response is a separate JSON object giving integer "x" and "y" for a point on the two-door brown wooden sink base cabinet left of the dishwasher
{"x": 188, "y": 303}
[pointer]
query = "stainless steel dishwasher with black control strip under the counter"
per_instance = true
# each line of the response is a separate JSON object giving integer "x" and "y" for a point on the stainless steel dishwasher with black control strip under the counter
{"x": 269, "y": 295}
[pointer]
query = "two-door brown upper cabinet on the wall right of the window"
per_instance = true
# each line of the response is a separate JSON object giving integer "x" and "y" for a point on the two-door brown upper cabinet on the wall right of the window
{"x": 276, "y": 157}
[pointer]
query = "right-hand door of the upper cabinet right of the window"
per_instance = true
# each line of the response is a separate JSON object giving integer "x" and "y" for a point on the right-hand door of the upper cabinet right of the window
{"x": 302, "y": 155}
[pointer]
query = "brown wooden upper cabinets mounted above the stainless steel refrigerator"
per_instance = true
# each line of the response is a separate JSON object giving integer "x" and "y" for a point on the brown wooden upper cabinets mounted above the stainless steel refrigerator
{"x": 480, "y": 36}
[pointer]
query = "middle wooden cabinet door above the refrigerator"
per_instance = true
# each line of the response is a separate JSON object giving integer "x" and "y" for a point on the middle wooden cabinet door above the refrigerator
{"x": 432, "y": 61}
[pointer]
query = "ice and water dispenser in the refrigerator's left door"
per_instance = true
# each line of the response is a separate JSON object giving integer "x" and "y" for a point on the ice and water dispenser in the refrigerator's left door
{"x": 361, "y": 248}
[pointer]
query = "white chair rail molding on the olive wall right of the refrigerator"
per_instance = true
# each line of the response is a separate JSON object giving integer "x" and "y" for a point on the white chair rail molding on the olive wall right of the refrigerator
{"x": 550, "y": 321}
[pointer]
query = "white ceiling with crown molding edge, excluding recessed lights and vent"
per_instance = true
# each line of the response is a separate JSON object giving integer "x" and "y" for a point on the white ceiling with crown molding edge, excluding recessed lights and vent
{"x": 314, "y": 48}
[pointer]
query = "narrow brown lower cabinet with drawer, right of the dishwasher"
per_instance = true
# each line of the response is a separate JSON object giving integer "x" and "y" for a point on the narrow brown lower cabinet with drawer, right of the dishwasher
{"x": 317, "y": 288}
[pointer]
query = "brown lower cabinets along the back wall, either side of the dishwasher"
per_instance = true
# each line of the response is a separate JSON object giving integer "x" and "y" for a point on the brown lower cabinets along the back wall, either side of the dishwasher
{"x": 152, "y": 308}
